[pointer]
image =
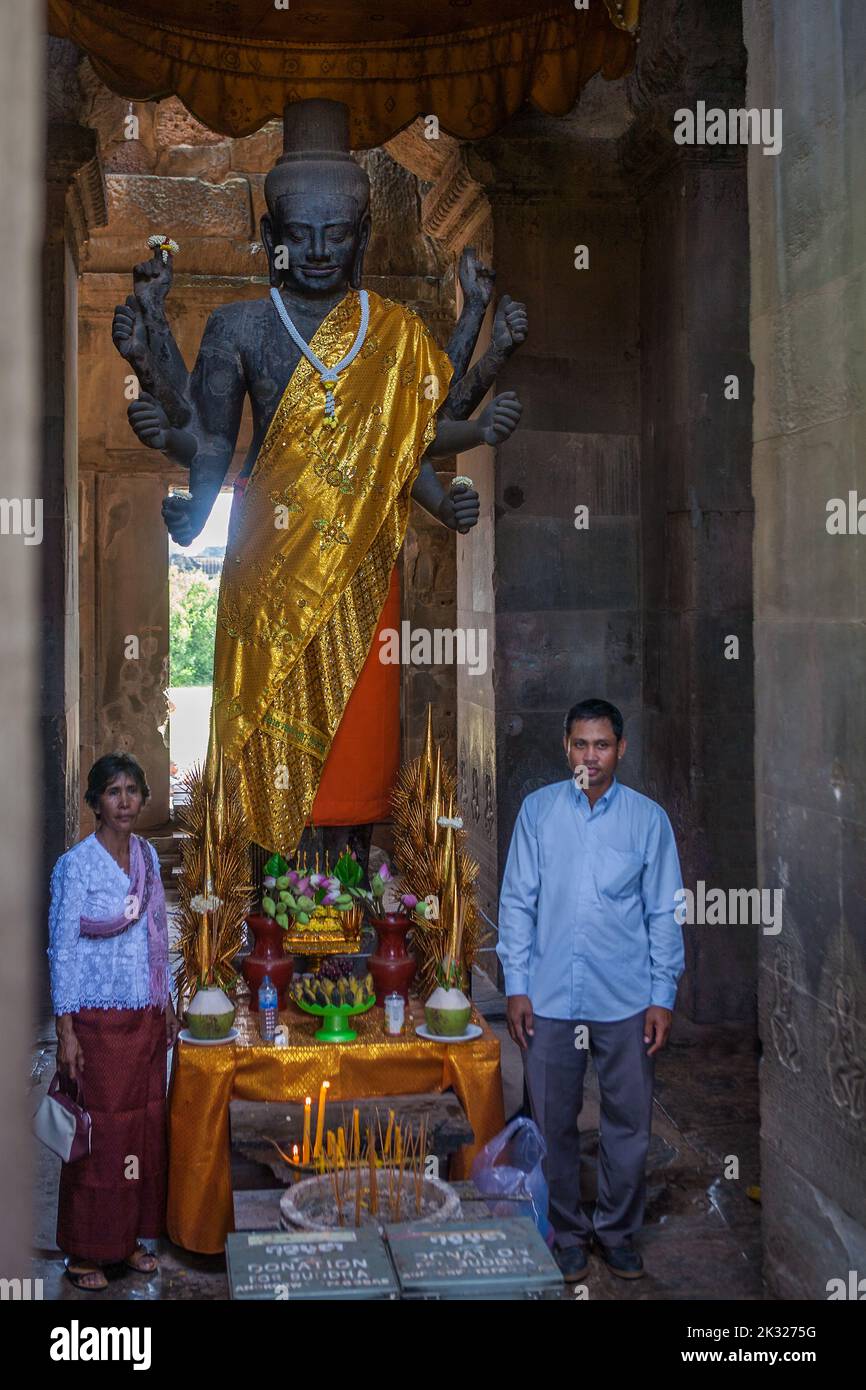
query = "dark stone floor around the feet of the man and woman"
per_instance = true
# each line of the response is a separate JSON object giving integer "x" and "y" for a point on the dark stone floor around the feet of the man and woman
{"x": 703, "y": 1234}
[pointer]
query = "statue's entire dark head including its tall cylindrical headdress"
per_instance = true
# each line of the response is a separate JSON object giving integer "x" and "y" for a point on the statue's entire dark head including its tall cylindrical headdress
{"x": 318, "y": 224}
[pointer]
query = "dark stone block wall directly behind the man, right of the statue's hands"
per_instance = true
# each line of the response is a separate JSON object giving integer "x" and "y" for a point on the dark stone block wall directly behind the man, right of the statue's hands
{"x": 561, "y": 605}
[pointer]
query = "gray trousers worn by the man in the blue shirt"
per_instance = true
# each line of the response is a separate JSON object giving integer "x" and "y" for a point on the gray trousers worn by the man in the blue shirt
{"x": 555, "y": 1071}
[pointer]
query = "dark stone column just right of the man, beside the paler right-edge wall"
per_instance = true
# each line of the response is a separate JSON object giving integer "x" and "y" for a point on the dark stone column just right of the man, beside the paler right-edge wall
{"x": 697, "y": 507}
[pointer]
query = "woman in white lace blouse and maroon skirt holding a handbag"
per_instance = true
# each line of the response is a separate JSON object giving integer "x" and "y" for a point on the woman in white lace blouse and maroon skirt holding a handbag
{"x": 111, "y": 989}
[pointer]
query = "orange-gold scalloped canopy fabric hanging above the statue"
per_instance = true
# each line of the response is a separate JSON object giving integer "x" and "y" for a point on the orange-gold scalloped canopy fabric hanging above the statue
{"x": 237, "y": 63}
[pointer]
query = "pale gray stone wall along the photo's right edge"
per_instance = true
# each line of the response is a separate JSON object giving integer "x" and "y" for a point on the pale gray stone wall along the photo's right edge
{"x": 808, "y": 230}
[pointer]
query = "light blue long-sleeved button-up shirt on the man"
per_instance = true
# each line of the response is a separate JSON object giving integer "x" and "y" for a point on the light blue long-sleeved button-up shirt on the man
{"x": 587, "y": 921}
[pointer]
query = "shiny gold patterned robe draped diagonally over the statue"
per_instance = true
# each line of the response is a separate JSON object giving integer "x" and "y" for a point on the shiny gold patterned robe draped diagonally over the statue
{"x": 311, "y": 554}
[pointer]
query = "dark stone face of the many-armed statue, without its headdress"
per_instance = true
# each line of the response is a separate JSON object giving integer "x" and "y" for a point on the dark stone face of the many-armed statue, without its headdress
{"x": 316, "y": 241}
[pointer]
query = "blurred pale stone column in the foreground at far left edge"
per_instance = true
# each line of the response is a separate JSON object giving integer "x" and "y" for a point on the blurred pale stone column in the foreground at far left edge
{"x": 24, "y": 862}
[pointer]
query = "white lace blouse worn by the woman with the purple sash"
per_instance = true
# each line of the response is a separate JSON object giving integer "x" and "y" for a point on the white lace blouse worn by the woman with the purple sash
{"x": 90, "y": 972}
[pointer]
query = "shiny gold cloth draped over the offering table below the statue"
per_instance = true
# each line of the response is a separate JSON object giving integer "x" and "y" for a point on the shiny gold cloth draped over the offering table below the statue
{"x": 205, "y": 1079}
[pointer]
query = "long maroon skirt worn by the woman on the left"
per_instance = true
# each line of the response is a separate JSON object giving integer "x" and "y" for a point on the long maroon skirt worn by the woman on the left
{"x": 117, "y": 1195}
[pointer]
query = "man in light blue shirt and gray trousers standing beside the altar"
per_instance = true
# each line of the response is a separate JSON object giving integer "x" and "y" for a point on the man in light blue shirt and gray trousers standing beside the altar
{"x": 591, "y": 956}
